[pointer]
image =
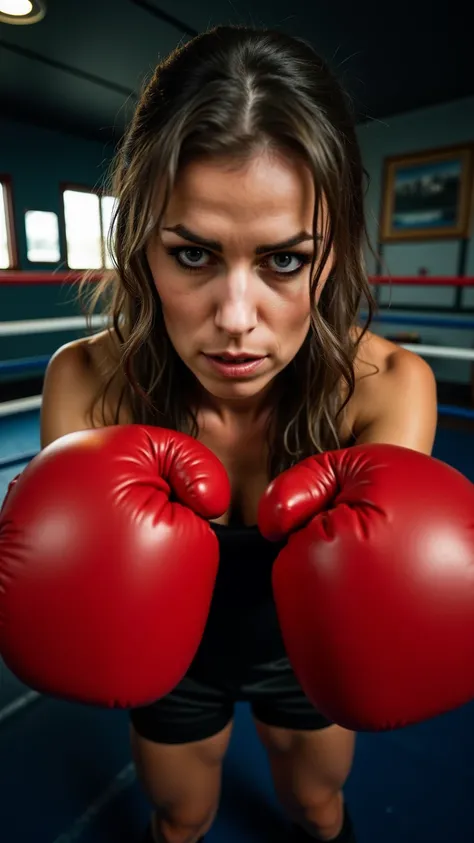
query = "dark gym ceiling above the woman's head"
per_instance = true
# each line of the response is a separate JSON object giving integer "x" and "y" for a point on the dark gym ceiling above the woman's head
{"x": 80, "y": 68}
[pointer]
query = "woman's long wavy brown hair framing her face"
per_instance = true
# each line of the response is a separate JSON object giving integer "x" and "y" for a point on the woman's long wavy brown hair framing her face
{"x": 232, "y": 92}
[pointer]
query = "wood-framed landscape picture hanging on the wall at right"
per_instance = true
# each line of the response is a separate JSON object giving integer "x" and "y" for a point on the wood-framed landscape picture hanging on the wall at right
{"x": 427, "y": 195}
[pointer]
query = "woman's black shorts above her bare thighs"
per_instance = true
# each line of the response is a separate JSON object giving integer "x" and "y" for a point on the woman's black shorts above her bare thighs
{"x": 199, "y": 707}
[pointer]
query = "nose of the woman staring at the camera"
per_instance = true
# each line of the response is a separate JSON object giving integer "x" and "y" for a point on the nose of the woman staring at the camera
{"x": 236, "y": 311}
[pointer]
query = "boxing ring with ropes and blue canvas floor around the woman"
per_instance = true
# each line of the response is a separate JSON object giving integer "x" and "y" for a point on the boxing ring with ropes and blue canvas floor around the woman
{"x": 71, "y": 763}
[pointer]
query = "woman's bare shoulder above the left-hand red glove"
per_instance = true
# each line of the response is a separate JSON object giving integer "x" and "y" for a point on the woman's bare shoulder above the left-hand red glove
{"x": 75, "y": 377}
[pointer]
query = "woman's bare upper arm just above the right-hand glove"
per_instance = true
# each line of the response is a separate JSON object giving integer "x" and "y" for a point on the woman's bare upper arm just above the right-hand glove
{"x": 399, "y": 406}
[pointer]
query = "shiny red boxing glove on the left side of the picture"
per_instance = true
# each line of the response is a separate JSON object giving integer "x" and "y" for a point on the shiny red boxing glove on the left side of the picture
{"x": 108, "y": 564}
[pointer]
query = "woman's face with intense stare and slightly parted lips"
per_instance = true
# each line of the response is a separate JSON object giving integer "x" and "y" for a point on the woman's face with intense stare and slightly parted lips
{"x": 231, "y": 264}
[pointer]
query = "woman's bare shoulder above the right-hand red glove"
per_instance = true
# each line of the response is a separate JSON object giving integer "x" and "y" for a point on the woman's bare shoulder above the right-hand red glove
{"x": 395, "y": 397}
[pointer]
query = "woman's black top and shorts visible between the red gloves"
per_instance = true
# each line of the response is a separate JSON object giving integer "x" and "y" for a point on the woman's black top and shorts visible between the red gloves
{"x": 241, "y": 656}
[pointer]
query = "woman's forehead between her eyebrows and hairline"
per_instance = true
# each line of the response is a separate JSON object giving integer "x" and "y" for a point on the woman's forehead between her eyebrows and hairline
{"x": 269, "y": 188}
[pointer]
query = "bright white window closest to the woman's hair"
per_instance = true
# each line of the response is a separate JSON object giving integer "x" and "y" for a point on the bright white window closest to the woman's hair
{"x": 88, "y": 217}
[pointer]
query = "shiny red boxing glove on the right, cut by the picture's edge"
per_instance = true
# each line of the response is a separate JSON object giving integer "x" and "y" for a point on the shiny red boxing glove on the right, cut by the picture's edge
{"x": 375, "y": 586}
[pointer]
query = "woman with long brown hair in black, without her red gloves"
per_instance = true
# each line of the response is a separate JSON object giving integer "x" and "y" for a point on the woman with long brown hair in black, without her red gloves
{"x": 239, "y": 240}
